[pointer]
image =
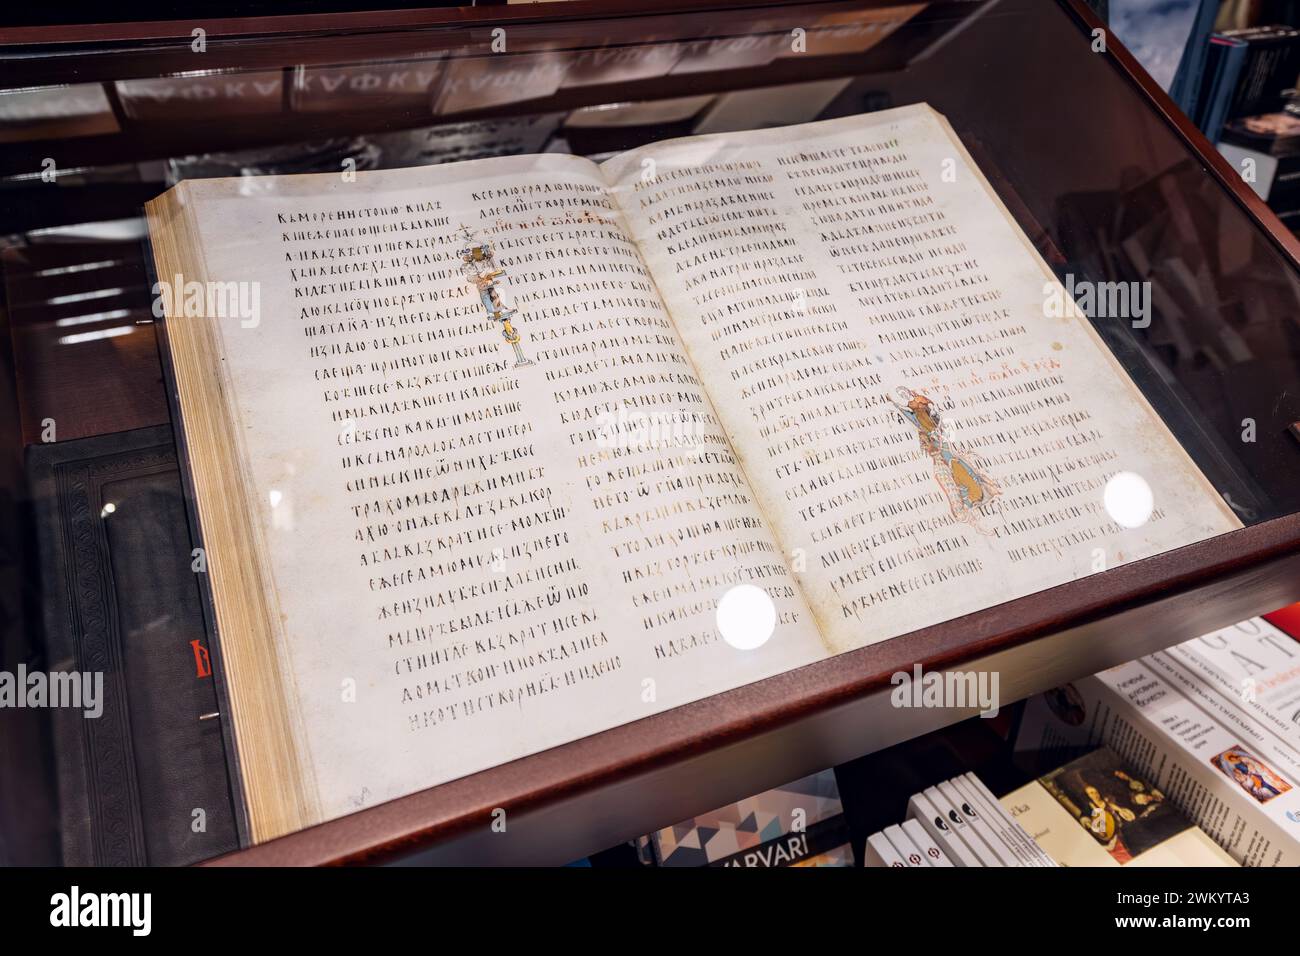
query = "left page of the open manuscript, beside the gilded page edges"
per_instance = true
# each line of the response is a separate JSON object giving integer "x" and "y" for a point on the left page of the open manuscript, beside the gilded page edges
{"x": 497, "y": 505}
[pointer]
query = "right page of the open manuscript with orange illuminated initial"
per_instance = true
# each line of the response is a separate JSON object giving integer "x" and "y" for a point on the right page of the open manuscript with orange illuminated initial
{"x": 929, "y": 423}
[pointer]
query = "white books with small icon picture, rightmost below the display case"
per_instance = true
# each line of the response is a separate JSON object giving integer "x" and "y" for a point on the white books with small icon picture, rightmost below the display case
{"x": 1214, "y": 724}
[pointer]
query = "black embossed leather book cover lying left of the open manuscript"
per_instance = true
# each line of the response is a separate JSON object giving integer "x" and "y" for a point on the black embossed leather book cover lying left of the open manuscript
{"x": 148, "y": 782}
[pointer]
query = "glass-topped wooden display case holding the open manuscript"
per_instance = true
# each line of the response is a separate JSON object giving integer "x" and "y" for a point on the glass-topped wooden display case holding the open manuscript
{"x": 1050, "y": 155}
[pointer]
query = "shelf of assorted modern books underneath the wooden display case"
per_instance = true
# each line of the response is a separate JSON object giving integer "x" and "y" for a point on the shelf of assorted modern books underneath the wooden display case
{"x": 1188, "y": 758}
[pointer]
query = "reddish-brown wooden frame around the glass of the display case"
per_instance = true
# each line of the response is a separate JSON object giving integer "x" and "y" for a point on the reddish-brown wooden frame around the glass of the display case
{"x": 616, "y": 785}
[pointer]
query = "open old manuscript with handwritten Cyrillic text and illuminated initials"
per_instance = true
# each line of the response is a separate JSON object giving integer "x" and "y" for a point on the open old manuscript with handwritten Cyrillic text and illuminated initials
{"x": 475, "y": 473}
